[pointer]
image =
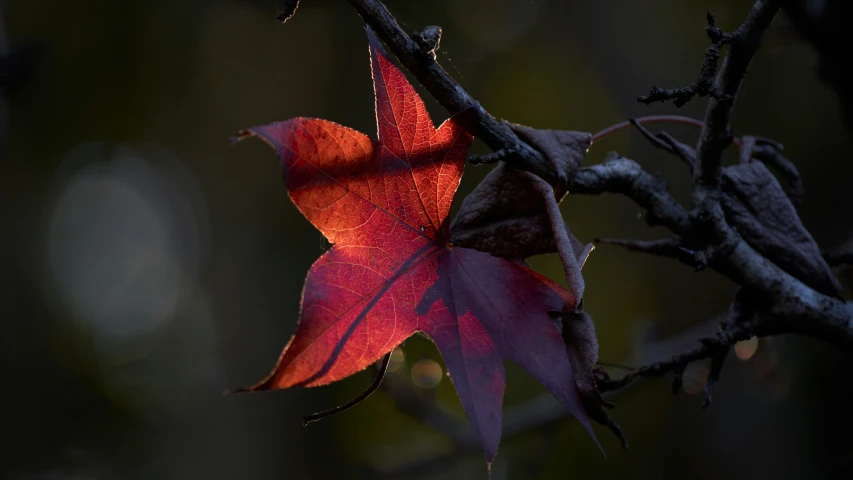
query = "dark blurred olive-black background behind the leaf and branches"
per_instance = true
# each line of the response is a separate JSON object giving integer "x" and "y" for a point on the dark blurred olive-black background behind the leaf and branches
{"x": 148, "y": 265}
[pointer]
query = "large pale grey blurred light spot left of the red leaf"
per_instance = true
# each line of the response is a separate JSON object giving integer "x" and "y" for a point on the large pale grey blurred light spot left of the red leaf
{"x": 123, "y": 240}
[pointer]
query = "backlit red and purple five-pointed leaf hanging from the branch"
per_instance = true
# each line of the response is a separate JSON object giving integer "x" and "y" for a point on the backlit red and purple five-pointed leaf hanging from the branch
{"x": 392, "y": 271}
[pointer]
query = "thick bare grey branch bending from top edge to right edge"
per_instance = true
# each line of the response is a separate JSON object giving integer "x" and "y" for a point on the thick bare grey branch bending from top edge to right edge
{"x": 796, "y": 306}
